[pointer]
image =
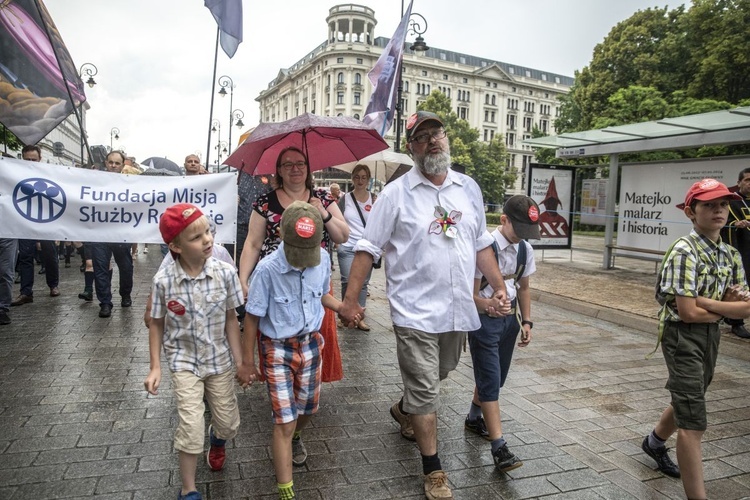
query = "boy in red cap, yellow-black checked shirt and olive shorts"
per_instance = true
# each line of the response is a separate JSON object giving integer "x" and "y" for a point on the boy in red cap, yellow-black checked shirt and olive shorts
{"x": 701, "y": 281}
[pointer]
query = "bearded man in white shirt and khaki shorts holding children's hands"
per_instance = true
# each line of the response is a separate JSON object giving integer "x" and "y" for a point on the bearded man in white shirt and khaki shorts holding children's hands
{"x": 429, "y": 226}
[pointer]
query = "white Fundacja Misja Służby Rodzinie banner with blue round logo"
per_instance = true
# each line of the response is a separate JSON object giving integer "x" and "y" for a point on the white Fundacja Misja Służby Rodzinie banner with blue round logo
{"x": 55, "y": 202}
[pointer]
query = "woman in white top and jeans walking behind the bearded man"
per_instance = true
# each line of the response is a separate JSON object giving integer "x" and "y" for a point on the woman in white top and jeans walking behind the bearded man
{"x": 356, "y": 207}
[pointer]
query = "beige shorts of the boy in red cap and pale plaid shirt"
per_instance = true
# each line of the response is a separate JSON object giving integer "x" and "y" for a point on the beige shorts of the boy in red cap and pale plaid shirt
{"x": 225, "y": 416}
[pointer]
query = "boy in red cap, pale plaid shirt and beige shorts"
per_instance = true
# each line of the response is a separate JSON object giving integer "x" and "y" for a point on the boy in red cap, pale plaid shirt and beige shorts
{"x": 193, "y": 319}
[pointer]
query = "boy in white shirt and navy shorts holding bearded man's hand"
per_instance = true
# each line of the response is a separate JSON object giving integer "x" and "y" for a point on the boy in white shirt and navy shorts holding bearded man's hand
{"x": 492, "y": 345}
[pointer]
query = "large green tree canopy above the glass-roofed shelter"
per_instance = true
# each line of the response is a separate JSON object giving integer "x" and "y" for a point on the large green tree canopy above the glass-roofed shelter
{"x": 661, "y": 63}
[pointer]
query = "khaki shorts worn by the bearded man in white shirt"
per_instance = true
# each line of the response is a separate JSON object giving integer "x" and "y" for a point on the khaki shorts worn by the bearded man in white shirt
{"x": 424, "y": 360}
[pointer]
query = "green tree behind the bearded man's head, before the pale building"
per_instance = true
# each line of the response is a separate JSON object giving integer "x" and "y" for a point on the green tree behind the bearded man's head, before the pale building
{"x": 484, "y": 162}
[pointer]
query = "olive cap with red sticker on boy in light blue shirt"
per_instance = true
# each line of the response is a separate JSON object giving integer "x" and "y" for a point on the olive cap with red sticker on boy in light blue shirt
{"x": 302, "y": 232}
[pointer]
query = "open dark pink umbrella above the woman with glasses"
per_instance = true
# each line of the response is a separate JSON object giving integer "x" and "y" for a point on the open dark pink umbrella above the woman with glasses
{"x": 326, "y": 141}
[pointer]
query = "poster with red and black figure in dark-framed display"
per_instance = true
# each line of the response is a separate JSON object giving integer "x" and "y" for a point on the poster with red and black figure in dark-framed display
{"x": 551, "y": 187}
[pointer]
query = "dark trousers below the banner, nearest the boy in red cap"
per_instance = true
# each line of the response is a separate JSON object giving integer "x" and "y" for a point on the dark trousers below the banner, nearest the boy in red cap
{"x": 101, "y": 254}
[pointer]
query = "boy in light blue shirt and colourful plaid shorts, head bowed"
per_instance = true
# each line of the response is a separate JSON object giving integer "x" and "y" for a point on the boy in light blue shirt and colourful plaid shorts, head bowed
{"x": 288, "y": 290}
